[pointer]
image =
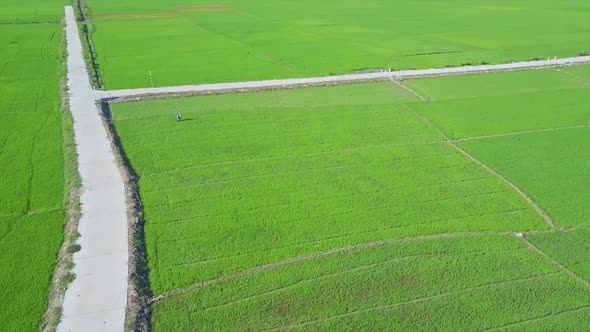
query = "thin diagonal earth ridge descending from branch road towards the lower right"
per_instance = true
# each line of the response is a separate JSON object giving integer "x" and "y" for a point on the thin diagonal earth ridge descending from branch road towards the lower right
{"x": 548, "y": 220}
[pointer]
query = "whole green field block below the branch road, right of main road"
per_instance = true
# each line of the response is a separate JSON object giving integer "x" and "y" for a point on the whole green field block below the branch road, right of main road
{"x": 346, "y": 207}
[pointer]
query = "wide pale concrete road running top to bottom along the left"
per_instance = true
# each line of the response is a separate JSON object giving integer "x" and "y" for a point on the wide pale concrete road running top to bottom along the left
{"x": 96, "y": 300}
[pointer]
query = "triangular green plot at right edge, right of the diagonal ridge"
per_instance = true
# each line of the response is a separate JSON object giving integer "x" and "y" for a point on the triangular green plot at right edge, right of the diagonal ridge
{"x": 552, "y": 167}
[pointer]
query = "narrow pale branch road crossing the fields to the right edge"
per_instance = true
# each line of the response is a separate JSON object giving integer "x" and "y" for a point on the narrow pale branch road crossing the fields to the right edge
{"x": 293, "y": 82}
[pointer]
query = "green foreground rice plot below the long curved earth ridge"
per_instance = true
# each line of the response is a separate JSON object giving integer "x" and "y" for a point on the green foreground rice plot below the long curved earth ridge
{"x": 456, "y": 284}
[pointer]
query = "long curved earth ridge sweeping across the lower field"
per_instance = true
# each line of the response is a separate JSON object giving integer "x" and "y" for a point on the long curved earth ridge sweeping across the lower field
{"x": 334, "y": 251}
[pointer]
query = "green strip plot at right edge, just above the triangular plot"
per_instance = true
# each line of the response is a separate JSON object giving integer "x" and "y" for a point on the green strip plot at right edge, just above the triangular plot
{"x": 497, "y": 115}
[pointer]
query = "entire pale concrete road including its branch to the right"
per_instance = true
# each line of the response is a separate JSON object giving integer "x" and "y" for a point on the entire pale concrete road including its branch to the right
{"x": 96, "y": 300}
